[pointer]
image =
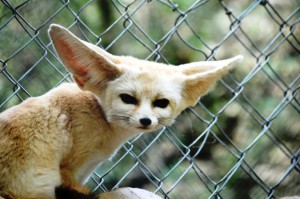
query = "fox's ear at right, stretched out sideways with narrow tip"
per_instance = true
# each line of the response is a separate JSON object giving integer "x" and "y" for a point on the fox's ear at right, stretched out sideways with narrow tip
{"x": 201, "y": 76}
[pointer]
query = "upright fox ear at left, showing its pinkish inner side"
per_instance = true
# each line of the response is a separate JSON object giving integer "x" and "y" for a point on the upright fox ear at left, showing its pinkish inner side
{"x": 90, "y": 66}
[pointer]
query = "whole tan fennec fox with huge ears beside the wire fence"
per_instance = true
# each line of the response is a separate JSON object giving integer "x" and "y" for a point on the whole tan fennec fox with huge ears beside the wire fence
{"x": 59, "y": 138}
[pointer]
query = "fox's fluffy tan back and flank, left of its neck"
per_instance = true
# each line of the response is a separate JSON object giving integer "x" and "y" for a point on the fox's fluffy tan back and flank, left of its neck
{"x": 34, "y": 137}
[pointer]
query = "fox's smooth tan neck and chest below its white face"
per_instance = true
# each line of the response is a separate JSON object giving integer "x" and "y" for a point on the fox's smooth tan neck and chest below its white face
{"x": 94, "y": 139}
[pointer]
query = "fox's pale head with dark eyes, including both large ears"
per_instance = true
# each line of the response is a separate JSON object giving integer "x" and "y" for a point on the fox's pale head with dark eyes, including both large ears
{"x": 136, "y": 94}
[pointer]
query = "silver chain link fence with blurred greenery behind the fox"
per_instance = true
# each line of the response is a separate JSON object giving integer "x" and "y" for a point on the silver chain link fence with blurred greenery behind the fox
{"x": 241, "y": 140}
